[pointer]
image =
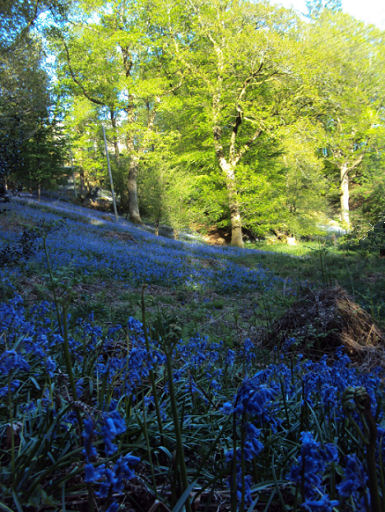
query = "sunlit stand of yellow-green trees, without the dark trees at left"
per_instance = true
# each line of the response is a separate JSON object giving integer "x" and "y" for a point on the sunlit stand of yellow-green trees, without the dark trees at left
{"x": 241, "y": 96}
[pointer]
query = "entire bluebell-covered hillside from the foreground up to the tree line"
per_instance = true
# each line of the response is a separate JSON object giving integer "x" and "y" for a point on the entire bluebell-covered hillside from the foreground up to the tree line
{"x": 139, "y": 373}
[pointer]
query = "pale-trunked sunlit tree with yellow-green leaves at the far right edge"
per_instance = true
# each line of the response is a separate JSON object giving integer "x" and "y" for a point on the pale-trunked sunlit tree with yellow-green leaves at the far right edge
{"x": 347, "y": 74}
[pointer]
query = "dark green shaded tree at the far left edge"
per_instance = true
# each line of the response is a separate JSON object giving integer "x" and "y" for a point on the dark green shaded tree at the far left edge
{"x": 29, "y": 141}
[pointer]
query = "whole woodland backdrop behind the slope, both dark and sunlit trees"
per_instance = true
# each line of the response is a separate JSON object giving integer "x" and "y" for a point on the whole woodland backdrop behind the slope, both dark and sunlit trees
{"x": 227, "y": 115}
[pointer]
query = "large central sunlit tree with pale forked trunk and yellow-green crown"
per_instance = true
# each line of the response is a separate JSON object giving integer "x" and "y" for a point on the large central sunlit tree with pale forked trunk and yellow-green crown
{"x": 235, "y": 58}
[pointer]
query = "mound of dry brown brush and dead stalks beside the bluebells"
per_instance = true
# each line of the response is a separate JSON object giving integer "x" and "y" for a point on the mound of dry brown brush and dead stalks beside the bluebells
{"x": 322, "y": 320}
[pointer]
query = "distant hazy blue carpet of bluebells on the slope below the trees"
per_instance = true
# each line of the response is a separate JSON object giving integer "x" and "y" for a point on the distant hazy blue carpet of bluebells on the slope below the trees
{"x": 85, "y": 244}
